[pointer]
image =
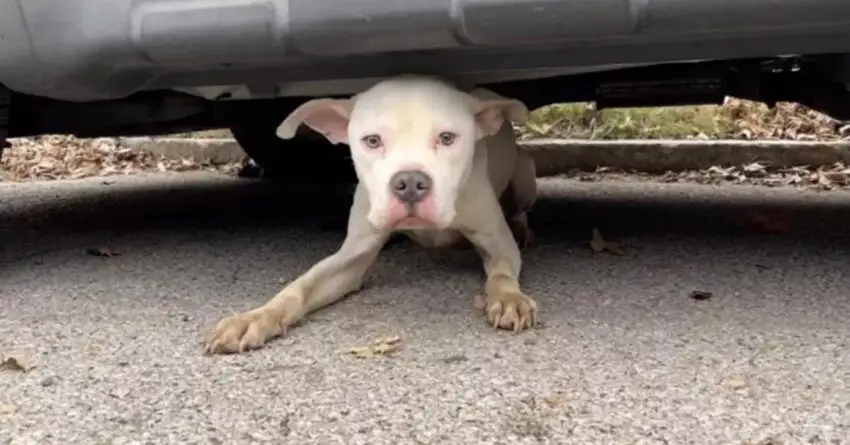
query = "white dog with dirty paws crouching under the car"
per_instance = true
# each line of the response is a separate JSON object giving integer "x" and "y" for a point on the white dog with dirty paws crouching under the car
{"x": 434, "y": 163}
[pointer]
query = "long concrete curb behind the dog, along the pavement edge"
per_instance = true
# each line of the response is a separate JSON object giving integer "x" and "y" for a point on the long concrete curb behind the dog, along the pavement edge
{"x": 554, "y": 156}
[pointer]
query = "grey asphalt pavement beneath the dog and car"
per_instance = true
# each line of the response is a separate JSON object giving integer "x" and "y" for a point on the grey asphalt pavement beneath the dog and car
{"x": 624, "y": 354}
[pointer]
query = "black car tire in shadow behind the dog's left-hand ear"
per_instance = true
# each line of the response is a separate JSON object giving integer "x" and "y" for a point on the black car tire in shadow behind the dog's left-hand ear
{"x": 306, "y": 159}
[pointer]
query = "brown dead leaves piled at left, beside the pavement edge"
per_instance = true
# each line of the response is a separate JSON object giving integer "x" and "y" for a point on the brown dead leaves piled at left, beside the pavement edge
{"x": 68, "y": 157}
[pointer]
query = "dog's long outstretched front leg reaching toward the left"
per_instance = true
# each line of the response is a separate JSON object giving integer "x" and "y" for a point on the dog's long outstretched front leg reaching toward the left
{"x": 326, "y": 282}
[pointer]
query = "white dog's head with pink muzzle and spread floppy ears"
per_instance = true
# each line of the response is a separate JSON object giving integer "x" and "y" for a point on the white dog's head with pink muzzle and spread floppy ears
{"x": 412, "y": 141}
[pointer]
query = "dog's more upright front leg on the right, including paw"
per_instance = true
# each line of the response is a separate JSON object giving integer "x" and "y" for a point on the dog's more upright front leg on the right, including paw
{"x": 503, "y": 302}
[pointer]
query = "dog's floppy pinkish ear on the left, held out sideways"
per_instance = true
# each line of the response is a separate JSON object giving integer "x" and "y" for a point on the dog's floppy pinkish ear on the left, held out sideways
{"x": 329, "y": 117}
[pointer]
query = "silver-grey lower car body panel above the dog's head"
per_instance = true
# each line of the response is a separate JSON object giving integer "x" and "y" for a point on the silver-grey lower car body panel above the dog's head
{"x": 83, "y": 50}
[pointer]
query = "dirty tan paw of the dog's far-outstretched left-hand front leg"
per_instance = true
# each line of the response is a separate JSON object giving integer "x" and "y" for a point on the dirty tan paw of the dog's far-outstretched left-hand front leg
{"x": 242, "y": 332}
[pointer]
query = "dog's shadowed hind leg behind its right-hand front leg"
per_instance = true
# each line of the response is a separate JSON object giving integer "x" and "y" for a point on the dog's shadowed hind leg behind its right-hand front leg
{"x": 523, "y": 194}
